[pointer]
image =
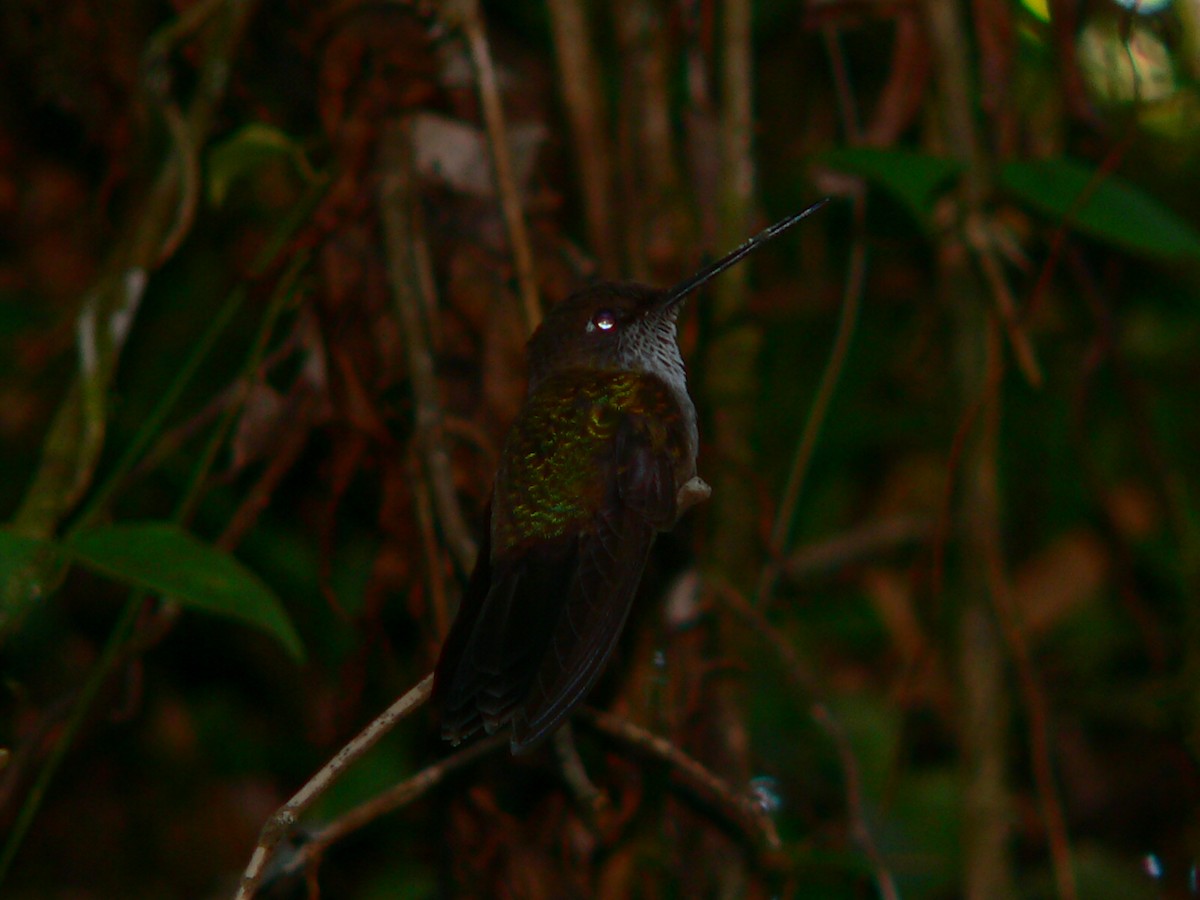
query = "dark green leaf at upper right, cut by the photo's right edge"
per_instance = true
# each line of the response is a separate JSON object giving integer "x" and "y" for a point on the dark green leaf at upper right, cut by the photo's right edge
{"x": 1114, "y": 212}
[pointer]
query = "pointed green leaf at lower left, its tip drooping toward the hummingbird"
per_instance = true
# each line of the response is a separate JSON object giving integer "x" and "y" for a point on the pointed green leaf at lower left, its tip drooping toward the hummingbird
{"x": 165, "y": 559}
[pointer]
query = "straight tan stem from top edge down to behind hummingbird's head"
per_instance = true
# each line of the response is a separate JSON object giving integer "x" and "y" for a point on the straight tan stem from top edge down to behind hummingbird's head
{"x": 467, "y": 16}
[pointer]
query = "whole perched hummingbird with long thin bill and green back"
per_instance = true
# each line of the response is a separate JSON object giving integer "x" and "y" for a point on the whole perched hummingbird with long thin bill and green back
{"x": 601, "y": 459}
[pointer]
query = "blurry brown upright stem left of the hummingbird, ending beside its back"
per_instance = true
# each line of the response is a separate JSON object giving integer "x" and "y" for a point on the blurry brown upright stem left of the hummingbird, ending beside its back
{"x": 400, "y": 209}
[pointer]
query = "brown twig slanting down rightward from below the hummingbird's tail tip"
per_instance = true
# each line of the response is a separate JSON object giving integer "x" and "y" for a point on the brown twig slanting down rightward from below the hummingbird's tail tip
{"x": 705, "y": 785}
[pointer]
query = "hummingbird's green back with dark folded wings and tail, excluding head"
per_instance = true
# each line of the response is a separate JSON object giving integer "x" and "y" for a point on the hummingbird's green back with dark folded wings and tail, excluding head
{"x": 574, "y": 514}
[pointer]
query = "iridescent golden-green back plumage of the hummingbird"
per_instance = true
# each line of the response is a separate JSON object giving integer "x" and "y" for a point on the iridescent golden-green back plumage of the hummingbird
{"x": 561, "y": 454}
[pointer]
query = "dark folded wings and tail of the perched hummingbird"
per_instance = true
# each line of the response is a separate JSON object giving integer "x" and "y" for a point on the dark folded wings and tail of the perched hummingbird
{"x": 538, "y": 625}
